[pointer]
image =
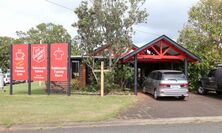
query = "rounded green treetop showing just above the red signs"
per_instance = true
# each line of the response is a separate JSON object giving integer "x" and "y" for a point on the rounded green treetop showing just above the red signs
{"x": 48, "y": 33}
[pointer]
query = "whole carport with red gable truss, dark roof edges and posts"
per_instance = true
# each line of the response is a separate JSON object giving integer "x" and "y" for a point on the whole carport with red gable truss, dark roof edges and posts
{"x": 160, "y": 53}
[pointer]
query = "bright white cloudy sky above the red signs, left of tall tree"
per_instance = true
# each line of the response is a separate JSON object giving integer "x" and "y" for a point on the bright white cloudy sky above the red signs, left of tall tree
{"x": 24, "y": 14}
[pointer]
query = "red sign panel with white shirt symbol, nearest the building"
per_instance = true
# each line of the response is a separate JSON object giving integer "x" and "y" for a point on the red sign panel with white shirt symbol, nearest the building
{"x": 58, "y": 56}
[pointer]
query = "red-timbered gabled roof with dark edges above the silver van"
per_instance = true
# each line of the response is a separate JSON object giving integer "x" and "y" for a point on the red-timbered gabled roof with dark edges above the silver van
{"x": 161, "y": 49}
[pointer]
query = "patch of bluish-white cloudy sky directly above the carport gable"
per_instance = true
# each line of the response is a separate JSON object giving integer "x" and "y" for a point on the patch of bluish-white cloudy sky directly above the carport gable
{"x": 165, "y": 17}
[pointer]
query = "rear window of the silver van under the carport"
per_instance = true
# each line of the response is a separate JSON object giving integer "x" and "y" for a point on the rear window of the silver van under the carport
{"x": 173, "y": 75}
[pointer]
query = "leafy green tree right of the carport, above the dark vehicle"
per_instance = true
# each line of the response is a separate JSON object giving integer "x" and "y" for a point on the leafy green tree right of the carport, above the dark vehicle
{"x": 203, "y": 36}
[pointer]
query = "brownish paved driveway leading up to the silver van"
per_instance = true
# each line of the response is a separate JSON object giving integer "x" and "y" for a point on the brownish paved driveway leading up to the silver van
{"x": 193, "y": 106}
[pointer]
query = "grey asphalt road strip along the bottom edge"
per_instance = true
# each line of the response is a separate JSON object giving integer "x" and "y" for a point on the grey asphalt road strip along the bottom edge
{"x": 177, "y": 128}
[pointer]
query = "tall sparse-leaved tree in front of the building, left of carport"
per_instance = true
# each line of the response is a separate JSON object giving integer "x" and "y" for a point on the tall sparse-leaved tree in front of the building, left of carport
{"x": 107, "y": 22}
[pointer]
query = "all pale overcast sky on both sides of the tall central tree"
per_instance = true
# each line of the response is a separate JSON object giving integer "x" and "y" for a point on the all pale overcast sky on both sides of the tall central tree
{"x": 165, "y": 17}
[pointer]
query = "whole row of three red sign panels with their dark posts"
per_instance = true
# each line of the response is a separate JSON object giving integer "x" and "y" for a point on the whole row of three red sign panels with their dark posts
{"x": 40, "y": 62}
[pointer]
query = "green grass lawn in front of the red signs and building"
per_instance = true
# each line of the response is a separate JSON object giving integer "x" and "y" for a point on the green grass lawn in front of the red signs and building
{"x": 40, "y": 108}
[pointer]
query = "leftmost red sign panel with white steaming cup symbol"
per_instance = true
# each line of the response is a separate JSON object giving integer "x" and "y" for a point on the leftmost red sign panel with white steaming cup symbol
{"x": 20, "y": 62}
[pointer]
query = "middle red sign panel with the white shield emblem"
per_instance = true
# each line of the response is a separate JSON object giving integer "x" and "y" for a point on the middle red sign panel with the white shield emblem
{"x": 39, "y": 62}
